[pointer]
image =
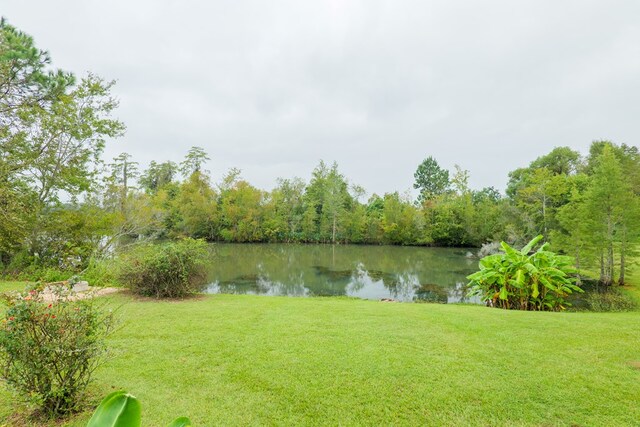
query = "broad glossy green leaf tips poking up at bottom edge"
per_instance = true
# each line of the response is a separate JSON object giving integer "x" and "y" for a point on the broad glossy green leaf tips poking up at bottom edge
{"x": 121, "y": 409}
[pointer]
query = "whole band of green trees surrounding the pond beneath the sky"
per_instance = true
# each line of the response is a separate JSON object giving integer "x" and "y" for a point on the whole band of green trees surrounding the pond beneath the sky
{"x": 61, "y": 204}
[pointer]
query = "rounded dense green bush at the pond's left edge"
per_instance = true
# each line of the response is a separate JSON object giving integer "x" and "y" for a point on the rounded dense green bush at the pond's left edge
{"x": 166, "y": 270}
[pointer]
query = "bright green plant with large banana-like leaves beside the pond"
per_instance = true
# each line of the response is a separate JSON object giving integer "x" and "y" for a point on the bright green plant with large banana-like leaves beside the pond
{"x": 521, "y": 280}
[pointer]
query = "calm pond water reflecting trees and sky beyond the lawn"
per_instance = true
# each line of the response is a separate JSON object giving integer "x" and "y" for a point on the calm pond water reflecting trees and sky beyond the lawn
{"x": 371, "y": 272}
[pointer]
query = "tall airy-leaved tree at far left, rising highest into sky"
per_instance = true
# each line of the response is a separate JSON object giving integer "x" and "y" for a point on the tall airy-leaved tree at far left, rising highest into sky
{"x": 52, "y": 132}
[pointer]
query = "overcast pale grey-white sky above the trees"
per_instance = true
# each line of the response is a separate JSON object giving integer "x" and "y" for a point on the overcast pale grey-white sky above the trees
{"x": 272, "y": 87}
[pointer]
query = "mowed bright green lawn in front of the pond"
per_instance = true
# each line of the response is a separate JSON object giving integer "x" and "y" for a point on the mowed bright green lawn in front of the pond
{"x": 246, "y": 360}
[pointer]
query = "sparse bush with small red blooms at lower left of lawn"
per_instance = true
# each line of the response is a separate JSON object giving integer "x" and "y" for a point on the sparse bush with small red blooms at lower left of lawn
{"x": 48, "y": 351}
